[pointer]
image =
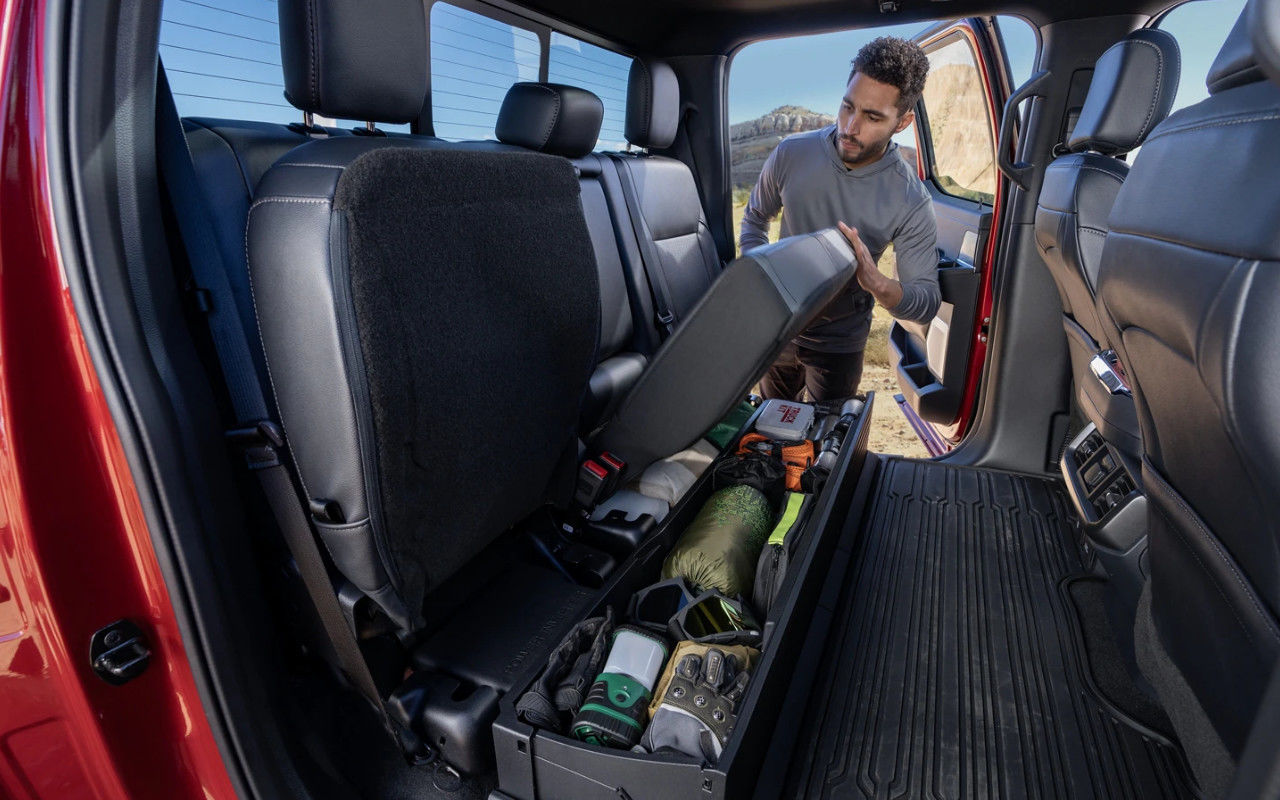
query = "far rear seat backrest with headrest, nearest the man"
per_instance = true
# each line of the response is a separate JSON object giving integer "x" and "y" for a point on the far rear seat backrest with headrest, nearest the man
{"x": 662, "y": 199}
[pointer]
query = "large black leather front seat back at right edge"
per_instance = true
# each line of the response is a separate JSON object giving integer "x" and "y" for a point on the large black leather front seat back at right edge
{"x": 1190, "y": 294}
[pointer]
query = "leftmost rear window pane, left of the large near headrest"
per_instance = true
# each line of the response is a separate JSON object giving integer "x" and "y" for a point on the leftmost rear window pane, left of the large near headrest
{"x": 223, "y": 61}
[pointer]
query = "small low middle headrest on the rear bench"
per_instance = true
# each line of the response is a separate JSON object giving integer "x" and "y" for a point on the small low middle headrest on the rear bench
{"x": 552, "y": 118}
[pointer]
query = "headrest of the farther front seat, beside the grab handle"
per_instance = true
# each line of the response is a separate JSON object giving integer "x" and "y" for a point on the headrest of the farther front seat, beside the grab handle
{"x": 1132, "y": 92}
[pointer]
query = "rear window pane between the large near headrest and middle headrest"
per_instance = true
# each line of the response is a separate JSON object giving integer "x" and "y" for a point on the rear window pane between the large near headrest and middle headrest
{"x": 474, "y": 62}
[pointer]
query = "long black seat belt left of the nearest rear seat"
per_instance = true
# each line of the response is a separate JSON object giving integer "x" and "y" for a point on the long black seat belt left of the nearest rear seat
{"x": 259, "y": 440}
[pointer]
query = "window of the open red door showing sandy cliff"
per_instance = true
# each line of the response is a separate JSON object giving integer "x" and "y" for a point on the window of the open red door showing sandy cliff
{"x": 959, "y": 122}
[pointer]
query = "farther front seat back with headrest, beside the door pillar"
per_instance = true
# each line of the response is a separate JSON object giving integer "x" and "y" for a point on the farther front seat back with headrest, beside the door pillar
{"x": 1133, "y": 90}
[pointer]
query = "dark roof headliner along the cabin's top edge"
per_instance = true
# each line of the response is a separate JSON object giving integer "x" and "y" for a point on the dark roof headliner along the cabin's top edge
{"x": 673, "y": 28}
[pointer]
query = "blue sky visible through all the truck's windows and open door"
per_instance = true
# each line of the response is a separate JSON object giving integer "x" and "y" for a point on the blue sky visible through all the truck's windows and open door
{"x": 223, "y": 61}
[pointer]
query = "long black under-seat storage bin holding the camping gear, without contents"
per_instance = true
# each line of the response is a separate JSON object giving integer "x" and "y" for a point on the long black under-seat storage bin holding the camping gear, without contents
{"x": 541, "y": 764}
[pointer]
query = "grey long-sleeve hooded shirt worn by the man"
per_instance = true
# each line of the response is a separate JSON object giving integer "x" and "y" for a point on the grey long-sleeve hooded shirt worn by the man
{"x": 885, "y": 202}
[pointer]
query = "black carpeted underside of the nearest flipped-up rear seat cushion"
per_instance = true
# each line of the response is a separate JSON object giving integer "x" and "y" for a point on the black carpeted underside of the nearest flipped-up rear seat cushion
{"x": 477, "y": 304}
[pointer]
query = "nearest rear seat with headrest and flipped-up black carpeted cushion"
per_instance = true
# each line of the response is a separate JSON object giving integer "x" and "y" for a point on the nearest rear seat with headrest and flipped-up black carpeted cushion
{"x": 429, "y": 317}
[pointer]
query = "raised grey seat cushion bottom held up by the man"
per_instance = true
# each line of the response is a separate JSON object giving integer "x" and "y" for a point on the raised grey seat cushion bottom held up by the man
{"x": 757, "y": 305}
